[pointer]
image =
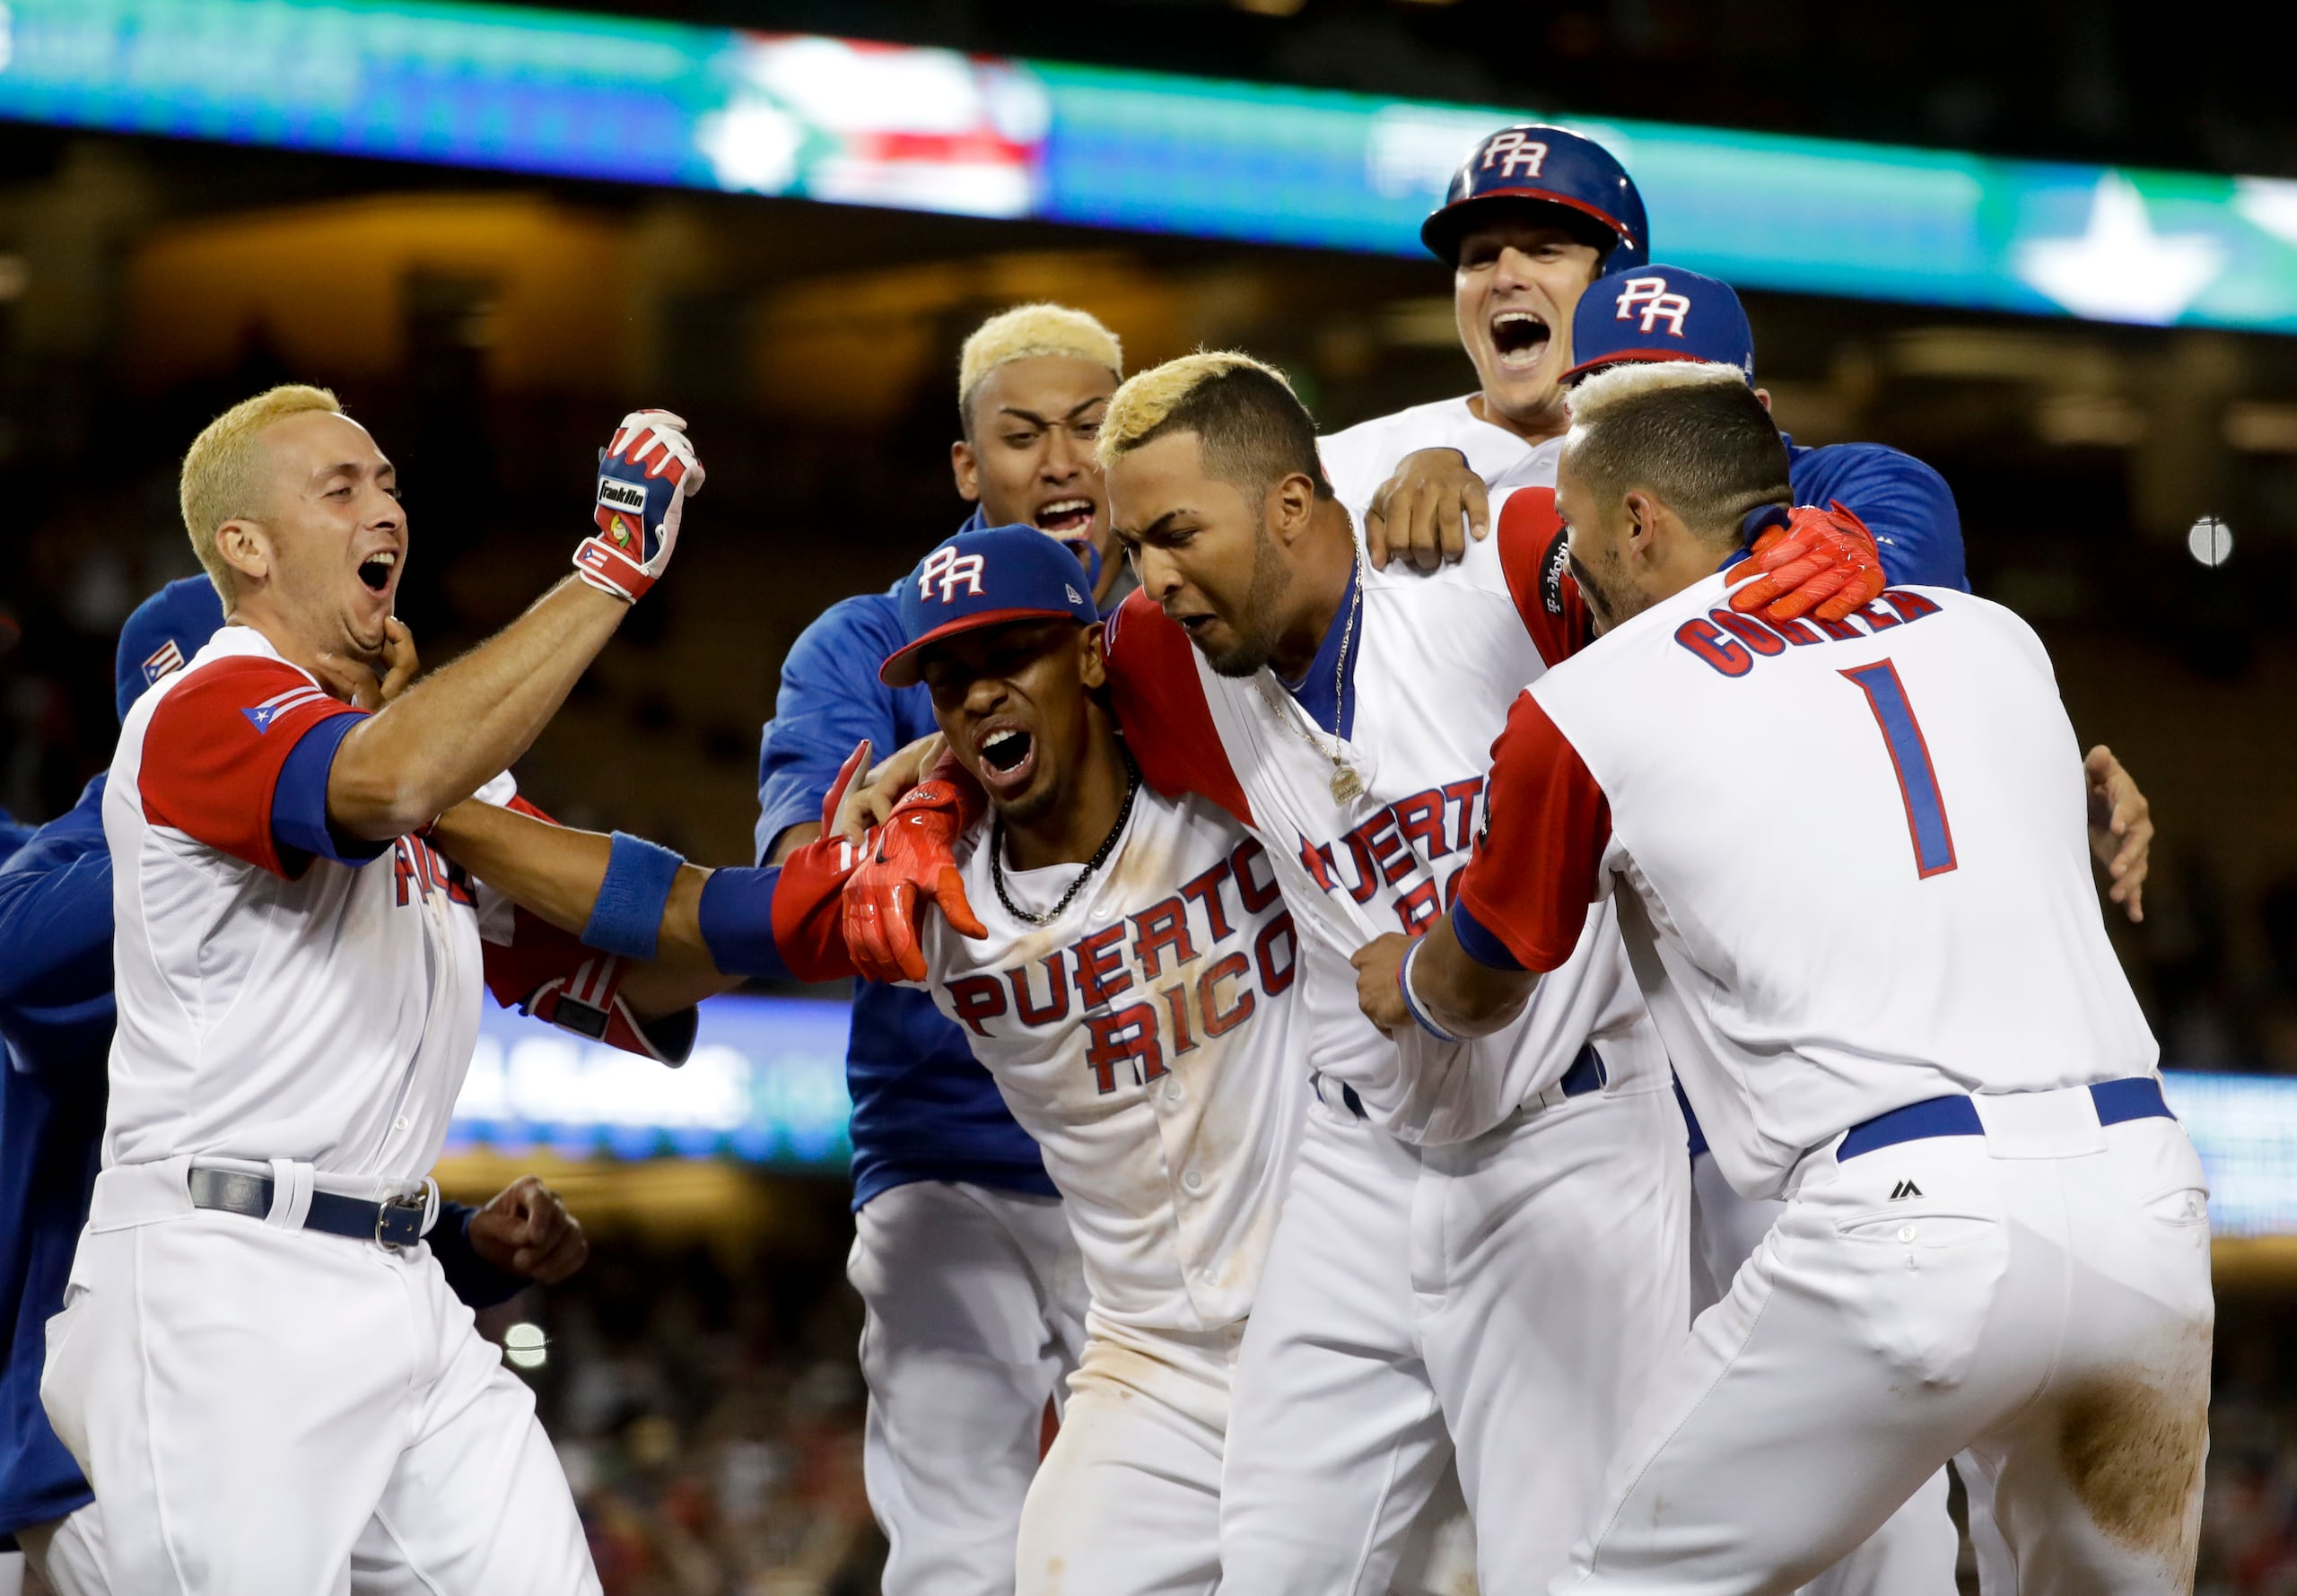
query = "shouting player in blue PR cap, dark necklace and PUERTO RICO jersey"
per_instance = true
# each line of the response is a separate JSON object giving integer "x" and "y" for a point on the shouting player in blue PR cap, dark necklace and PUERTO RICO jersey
{"x": 1131, "y": 984}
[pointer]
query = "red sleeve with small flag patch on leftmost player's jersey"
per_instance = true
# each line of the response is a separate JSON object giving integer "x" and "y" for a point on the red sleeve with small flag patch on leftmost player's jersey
{"x": 217, "y": 747}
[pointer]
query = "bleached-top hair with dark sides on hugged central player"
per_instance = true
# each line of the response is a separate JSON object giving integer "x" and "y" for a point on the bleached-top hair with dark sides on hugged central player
{"x": 1248, "y": 421}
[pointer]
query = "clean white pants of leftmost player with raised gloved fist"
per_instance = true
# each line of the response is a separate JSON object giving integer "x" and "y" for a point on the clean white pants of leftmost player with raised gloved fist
{"x": 252, "y": 1402}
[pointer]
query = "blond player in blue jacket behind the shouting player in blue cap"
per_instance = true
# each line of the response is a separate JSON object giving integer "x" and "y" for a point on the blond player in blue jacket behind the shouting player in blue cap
{"x": 968, "y": 1271}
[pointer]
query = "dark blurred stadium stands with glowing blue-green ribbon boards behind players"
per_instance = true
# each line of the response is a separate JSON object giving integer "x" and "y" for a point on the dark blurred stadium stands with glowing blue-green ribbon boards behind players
{"x": 486, "y": 235}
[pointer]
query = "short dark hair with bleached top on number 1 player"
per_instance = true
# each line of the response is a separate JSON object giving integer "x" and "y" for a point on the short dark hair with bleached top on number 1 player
{"x": 1689, "y": 433}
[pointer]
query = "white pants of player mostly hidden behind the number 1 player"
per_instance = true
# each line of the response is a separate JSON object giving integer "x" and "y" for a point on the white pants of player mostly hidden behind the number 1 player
{"x": 1917, "y": 1549}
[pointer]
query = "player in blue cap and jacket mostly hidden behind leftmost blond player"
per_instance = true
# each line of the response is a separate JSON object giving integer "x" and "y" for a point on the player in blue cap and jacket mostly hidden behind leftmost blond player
{"x": 56, "y": 1016}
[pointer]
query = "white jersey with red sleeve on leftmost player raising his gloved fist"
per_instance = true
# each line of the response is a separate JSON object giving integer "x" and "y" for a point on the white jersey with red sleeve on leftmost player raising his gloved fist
{"x": 284, "y": 991}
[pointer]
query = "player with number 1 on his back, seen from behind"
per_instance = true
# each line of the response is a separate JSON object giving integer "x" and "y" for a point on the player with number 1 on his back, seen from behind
{"x": 1995, "y": 1237}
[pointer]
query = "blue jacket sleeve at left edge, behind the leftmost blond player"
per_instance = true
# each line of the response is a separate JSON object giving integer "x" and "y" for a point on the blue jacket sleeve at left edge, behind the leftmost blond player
{"x": 56, "y": 940}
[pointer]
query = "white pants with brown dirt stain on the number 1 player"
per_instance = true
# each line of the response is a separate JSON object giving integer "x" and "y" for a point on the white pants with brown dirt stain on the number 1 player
{"x": 2034, "y": 1299}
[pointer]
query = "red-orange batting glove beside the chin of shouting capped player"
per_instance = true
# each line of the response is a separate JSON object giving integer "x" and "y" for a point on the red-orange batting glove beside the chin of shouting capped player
{"x": 913, "y": 855}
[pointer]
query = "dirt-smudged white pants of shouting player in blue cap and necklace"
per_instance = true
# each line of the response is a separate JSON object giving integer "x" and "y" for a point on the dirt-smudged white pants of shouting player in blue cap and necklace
{"x": 1129, "y": 1498}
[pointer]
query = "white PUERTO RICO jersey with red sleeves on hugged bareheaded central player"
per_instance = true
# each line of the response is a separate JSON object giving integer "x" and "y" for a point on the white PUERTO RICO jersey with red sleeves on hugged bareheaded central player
{"x": 1432, "y": 667}
